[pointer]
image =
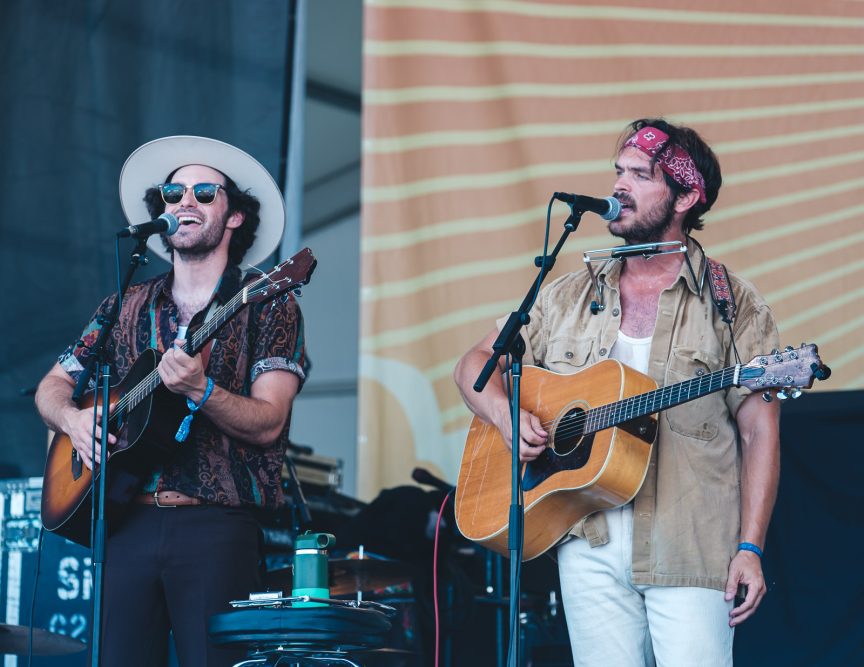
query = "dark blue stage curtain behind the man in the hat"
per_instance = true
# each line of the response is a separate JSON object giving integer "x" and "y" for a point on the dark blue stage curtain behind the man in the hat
{"x": 83, "y": 84}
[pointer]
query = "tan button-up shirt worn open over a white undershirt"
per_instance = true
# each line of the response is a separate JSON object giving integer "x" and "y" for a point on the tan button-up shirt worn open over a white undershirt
{"x": 686, "y": 516}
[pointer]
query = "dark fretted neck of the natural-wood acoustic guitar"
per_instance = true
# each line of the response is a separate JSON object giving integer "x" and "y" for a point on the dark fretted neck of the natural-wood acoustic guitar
{"x": 612, "y": 414}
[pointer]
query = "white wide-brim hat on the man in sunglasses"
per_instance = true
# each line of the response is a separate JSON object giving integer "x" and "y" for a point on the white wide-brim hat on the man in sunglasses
{"x": 150, "y": 164}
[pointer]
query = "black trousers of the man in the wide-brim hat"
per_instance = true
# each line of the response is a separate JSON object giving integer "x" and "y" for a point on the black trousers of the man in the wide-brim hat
{"x": 171, "y": 569}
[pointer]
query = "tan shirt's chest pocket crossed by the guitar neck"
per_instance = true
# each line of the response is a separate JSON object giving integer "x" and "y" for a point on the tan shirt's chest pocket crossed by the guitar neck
{"x": 698, "y": 418}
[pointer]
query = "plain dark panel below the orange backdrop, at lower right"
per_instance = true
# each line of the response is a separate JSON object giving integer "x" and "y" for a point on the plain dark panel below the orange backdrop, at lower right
{"x": 814, "y": 610}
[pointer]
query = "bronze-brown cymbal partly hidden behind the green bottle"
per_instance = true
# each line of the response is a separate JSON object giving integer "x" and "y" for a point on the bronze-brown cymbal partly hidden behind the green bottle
{"x": 349, "y": 575}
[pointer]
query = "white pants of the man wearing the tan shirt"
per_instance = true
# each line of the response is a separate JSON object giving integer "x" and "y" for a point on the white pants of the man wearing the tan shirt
{"x": 613, "y": 623}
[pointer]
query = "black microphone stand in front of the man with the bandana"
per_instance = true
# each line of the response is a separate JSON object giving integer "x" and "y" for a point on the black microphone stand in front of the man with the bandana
{"x": 510, "y": 342}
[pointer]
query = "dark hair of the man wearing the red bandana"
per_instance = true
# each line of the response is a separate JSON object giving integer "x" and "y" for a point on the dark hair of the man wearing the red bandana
{"x": 703, "y": 156}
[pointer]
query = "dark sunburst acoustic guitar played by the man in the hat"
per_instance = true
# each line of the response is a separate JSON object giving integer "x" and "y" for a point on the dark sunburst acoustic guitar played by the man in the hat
{"x": 144, "y": 418}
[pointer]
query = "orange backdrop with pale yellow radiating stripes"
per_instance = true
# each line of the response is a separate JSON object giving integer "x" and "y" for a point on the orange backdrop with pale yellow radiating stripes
{"x": 476, "y": 111}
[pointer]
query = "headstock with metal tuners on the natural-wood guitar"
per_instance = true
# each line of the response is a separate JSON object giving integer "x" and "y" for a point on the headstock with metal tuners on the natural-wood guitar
{"x": 790, "y": 371}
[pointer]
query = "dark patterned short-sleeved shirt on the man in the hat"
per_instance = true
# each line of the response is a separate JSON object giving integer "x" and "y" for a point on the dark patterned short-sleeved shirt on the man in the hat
{"x": 261, "y": 337}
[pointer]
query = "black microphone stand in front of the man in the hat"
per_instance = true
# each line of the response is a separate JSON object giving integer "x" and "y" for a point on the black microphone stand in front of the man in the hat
{"x": 97, "y": 528}
